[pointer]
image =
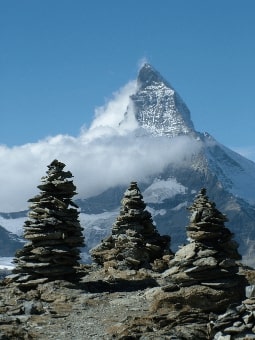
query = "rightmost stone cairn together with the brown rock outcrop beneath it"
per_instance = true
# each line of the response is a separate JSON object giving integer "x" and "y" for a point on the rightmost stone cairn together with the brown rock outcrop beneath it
{"x": 203, "y": 279}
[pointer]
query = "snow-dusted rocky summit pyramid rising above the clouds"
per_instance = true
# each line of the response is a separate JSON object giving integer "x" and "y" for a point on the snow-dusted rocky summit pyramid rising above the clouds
{"x": 158, "y": 107}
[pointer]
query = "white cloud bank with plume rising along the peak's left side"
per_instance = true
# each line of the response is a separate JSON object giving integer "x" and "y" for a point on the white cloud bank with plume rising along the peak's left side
{"x": 109, "y": 153}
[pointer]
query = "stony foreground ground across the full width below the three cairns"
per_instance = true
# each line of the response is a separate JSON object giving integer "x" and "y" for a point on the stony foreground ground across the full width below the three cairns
{"x": 106, "y": 305}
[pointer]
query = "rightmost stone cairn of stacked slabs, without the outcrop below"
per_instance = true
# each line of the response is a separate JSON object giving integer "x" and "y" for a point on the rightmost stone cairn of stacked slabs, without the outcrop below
{"x": 205, "y": 270}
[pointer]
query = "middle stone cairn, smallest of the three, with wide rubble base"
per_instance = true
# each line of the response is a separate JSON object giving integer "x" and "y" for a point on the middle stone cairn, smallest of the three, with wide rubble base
{"x": 134, "y": 242}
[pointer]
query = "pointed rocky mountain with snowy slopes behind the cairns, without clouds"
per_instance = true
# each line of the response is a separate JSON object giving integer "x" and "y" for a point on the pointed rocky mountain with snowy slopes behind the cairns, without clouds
{"x": 161, "y": 115}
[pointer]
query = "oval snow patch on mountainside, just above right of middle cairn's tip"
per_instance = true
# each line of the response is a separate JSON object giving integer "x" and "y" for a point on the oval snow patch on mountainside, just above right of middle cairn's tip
{"x": 161, "y": 190}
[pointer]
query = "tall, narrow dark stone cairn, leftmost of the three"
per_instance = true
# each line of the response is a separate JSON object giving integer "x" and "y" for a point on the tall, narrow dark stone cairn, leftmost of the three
{"x": 53, "y": 231}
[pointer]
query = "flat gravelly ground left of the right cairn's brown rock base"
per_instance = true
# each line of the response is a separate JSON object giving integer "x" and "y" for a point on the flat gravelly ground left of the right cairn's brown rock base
{"x": 95, "y": 308}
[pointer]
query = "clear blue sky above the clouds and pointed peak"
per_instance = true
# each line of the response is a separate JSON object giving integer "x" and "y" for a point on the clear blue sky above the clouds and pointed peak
{"x": 60, "y": 59}
